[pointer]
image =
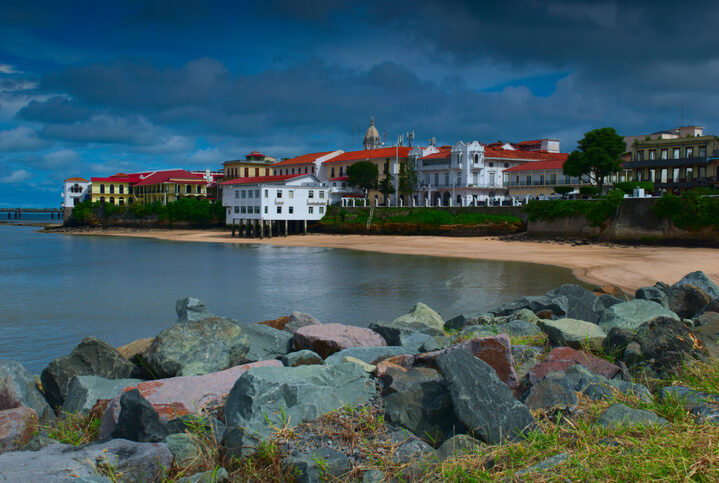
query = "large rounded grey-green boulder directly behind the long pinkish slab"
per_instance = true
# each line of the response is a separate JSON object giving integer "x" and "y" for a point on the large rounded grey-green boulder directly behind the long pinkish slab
{"x": 213, "y": 344}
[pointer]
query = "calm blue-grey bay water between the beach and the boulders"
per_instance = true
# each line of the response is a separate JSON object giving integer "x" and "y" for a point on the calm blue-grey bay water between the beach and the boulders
{"x": 56, "y": 289}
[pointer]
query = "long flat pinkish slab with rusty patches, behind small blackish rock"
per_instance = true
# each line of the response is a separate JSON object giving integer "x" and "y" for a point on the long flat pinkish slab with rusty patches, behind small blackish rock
{"x": 178, "y": 396}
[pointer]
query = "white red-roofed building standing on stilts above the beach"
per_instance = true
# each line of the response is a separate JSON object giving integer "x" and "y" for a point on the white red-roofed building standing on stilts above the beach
{"x": 267, "y": 200}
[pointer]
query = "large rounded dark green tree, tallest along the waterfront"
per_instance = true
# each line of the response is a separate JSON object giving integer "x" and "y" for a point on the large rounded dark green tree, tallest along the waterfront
{"x": 598, "y": 156}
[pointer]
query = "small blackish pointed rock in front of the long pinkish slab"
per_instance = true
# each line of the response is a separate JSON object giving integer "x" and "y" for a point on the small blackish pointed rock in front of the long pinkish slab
{"x": 138, "y": 421}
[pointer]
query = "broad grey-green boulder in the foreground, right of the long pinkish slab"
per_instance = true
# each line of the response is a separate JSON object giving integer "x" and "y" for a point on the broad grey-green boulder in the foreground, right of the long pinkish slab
{"x": 287, "y": 396}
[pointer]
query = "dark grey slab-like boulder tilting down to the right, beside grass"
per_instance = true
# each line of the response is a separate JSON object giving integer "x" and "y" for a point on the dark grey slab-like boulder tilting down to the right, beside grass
{"x": 481, "y": 400}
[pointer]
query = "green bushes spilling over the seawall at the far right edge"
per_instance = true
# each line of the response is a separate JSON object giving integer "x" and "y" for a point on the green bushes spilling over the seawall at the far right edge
{"x": 691, "y": 210}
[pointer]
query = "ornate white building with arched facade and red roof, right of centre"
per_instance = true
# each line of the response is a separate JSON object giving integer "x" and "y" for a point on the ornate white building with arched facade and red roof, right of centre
{"x": 473, "y": 173}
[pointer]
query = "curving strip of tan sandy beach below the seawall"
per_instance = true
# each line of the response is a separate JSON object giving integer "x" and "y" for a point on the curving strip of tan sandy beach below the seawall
{"x": 626, "y": 267}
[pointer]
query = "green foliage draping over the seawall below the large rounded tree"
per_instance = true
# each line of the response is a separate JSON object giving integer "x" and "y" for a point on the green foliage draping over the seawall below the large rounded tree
{"x": 597, "y": 212}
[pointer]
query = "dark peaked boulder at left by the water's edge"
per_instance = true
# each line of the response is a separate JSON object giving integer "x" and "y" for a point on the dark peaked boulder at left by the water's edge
{"x": 91, "y": 357}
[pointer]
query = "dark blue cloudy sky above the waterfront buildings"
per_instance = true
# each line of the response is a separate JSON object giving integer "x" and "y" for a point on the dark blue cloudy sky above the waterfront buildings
{"x": 95, "y": 88}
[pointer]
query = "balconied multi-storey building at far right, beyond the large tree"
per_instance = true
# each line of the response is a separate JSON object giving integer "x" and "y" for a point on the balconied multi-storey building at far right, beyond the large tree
{"x": 674, "y": 160}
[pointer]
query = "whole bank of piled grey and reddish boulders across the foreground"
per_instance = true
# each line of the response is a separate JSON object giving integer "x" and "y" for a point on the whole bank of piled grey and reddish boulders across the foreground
{"x": 214, "y": 399}
